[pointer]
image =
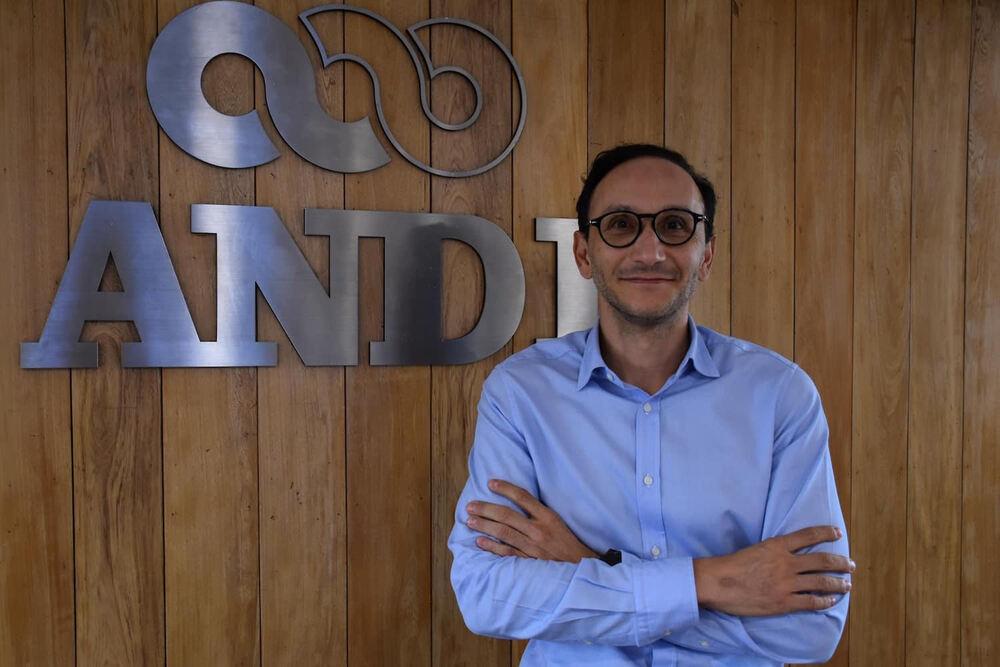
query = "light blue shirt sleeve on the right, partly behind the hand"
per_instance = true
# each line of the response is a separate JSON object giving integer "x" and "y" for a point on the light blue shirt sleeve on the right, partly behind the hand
{"x": 802, "y": 494}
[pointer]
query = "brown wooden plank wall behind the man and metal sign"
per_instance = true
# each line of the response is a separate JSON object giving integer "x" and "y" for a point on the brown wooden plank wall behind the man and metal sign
{"x": 297, "y": 515}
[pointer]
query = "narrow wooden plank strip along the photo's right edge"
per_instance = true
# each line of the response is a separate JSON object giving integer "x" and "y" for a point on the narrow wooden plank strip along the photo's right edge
{"x": 981, "y": 459}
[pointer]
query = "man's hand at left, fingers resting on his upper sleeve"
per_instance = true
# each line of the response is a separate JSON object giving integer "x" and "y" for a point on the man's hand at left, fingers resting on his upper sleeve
{"x": 538, "y": 533}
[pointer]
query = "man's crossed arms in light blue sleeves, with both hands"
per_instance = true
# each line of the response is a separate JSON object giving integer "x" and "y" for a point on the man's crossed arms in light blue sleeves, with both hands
{"x": 523, "y": 574}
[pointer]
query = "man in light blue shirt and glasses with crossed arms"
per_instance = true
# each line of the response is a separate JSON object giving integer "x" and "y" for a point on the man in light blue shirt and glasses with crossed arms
{"x": 650, "y": 491}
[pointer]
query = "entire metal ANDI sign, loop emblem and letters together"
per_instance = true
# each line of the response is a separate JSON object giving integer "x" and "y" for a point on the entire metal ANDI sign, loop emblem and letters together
{"x": 254, "y": 249}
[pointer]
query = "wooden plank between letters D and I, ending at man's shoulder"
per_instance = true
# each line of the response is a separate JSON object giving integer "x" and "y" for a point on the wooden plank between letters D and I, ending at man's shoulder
{"x": 549, "y": 161}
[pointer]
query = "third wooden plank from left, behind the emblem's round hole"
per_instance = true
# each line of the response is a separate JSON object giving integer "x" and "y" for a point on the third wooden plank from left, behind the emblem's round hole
{"x": 210, "y": 419}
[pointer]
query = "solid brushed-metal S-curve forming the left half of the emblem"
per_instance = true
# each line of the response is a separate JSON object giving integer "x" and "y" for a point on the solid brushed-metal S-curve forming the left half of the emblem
{"x": 173, "y": 83}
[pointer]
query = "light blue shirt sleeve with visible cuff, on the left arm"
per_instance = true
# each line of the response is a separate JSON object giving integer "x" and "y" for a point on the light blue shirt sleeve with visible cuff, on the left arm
{"x": 633, "y": 603}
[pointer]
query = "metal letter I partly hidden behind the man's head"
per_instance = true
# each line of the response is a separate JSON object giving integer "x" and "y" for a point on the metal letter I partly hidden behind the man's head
{"x": 576, "y": 297}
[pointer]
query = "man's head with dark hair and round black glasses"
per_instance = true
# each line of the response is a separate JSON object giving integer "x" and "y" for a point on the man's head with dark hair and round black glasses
{"x": 649, "y": 281}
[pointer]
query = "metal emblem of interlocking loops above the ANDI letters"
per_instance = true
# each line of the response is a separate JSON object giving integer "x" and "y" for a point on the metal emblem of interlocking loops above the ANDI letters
{"x": 196, "y": 36}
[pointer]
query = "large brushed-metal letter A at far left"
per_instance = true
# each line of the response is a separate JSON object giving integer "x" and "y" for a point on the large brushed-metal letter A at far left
{"x": 151, "y": 296}
